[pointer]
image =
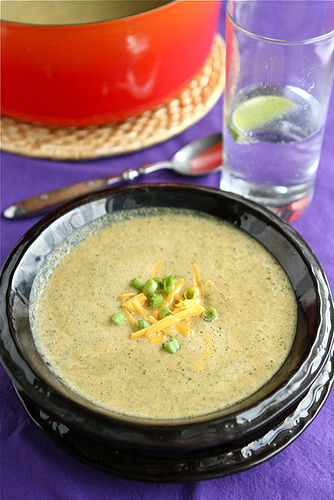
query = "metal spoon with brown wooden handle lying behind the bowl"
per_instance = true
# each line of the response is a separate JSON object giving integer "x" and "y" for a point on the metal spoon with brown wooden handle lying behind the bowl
{"x": 199, "y": 157}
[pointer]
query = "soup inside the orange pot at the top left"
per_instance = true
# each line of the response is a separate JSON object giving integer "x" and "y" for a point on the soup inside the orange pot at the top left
{"x": 65, "y": 12}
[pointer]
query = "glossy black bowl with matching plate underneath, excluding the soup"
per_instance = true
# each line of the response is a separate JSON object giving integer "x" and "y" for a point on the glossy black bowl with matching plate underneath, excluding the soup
{"x": 209, "y": 446}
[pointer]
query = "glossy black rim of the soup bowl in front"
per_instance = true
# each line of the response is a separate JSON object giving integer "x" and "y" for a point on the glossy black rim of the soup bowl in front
{"x": 211, "y": 429}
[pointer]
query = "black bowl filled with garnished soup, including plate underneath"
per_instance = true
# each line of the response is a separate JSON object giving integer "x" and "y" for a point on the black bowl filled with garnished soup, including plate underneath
{"x": 167, "y": 332}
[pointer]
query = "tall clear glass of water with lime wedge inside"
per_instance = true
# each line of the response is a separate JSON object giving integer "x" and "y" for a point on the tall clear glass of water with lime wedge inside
{"x": 279, "y": 74}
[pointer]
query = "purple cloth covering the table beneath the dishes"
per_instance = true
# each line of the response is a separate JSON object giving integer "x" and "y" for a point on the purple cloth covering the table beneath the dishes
{"x": 32, "y": 467}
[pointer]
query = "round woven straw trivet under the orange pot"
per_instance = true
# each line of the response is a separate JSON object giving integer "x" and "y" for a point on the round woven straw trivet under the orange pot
{"x": 147, "y": 129}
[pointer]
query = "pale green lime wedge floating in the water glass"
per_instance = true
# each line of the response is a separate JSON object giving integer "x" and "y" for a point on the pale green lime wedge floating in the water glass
{"x": 259, "y": 110}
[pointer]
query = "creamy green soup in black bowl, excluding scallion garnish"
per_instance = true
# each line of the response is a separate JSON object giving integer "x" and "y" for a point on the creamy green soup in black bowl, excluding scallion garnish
{"x": 218, "y": 363}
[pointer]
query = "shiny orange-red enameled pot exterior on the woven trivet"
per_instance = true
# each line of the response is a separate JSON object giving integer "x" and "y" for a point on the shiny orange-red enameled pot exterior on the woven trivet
{"x": 100, "y": 72}
